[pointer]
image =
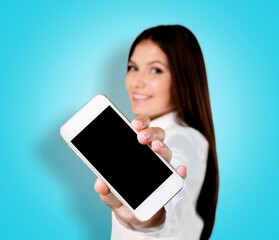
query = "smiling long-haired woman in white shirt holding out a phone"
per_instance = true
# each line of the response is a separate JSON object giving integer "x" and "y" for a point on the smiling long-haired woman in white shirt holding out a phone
{"x": 168, "y": 90}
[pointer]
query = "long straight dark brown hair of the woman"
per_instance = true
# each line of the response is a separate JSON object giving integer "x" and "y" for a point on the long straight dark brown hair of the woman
{"x": 192, "y": 102}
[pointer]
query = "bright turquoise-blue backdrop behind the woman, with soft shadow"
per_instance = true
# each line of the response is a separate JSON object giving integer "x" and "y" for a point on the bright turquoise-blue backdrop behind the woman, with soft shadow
{"x": 55, "y": 55}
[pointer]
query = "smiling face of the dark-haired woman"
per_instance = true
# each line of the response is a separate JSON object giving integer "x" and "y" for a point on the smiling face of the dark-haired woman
{"x": 148, "y": 80}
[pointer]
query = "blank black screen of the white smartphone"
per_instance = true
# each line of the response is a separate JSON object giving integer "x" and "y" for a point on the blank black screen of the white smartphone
{"x": 131, "y": 168}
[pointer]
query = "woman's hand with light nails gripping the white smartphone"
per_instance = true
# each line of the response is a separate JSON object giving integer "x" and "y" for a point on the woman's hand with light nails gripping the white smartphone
{"x": 146, "y": 135}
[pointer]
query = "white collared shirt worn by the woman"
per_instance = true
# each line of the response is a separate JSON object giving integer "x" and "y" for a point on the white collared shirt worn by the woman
{"x": 189, "y": 148}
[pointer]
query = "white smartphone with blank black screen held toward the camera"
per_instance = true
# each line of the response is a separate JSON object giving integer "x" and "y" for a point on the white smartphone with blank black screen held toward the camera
{"x": 107, "y": 143}
